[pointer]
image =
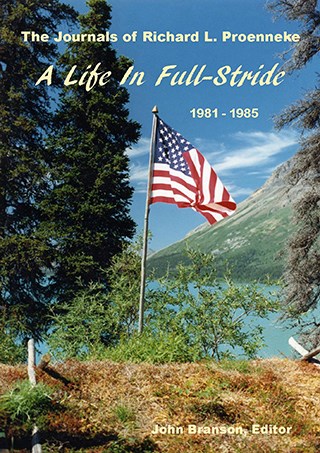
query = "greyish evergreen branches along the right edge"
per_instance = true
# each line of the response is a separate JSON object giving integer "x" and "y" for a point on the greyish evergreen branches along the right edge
{"x": 303, "y": 270}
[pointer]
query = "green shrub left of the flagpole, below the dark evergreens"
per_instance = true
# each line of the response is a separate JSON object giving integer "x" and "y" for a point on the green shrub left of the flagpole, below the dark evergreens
{"x": 97, "y": 318}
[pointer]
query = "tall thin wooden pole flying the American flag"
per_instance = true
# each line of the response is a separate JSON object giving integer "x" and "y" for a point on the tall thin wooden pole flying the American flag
{"x": 146, "y": 220}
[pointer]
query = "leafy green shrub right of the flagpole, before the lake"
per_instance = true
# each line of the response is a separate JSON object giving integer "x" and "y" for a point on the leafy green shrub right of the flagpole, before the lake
{"x": 216, "y": 317}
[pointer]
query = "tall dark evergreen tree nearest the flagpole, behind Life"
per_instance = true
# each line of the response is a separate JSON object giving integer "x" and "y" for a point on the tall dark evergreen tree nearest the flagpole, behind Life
{"x": 88, "y": 210}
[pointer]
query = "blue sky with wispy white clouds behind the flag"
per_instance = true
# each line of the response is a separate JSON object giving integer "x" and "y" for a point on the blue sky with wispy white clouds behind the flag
{"x": 244, "y": 152}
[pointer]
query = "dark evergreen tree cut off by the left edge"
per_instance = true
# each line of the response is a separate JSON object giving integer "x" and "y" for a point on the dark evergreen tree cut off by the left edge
{"x": 24, "y": 119}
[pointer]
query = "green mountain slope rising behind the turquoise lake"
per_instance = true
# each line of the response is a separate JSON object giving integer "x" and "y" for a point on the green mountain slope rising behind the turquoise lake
{"x": 253, "y": 241}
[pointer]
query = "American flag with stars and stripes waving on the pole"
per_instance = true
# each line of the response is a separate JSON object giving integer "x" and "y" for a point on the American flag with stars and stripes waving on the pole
{"x": 182, "y": 176}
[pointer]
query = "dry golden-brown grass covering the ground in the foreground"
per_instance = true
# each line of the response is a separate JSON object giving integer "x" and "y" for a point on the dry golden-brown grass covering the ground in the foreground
{"x": 109, "y": 407}
